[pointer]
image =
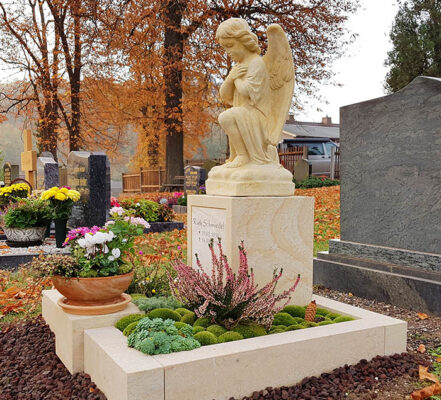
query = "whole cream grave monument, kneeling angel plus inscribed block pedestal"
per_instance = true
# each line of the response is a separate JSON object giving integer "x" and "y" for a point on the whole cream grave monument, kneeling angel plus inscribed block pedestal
{"x": 251, "y": 197}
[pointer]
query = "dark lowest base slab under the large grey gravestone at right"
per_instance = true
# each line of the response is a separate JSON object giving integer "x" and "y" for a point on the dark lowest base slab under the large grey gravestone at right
{"x": 405, "y": 291}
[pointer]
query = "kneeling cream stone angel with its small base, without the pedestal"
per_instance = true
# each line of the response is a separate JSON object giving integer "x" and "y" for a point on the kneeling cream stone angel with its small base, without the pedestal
{"x": 260, "y": 90}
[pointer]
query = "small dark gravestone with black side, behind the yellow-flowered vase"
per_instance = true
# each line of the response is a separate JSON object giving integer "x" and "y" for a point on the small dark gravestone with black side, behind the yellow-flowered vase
{"x": 87, "y": 173}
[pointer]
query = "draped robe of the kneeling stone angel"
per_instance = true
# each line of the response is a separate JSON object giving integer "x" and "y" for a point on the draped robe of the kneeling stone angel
{"x": 251, "y": 101}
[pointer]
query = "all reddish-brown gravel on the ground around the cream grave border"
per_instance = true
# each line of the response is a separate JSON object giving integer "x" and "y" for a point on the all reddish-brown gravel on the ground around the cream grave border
{"x": 30, "y": 369}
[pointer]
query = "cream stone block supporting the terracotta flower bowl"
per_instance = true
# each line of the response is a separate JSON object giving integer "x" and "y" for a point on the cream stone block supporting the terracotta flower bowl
{"x": 69, "y": 328}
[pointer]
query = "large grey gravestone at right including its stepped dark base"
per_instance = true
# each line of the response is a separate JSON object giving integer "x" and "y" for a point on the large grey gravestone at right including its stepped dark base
{"x": 390, "y": 246}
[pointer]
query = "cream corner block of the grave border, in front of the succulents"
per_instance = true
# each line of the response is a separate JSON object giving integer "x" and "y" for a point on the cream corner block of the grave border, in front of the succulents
{"x": 120, "y": 372}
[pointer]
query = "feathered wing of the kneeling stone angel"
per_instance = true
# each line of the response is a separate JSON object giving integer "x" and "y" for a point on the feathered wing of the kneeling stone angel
{"x": 280, "y": 66}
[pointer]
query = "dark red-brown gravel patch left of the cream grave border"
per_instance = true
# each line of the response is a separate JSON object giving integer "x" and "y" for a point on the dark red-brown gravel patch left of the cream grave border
{"x": 30, "y": 369}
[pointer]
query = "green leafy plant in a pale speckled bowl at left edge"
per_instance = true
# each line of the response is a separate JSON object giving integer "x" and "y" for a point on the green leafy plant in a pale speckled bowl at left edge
{"x": 24, "y": 222}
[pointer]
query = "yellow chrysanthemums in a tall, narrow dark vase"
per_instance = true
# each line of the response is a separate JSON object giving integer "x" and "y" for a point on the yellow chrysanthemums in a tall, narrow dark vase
{"x": 61, "y": 200}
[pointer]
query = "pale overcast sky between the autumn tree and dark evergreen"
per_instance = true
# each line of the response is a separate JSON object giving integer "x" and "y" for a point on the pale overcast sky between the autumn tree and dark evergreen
{"x": 361, "y": 71}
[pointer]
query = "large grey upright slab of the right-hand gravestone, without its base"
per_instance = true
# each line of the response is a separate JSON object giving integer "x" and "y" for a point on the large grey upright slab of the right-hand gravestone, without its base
{"x": 391, "y": 169}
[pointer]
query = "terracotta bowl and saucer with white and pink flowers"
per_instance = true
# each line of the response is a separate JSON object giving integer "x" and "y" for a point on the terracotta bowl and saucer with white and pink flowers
{"x": 101, "y": 274}
